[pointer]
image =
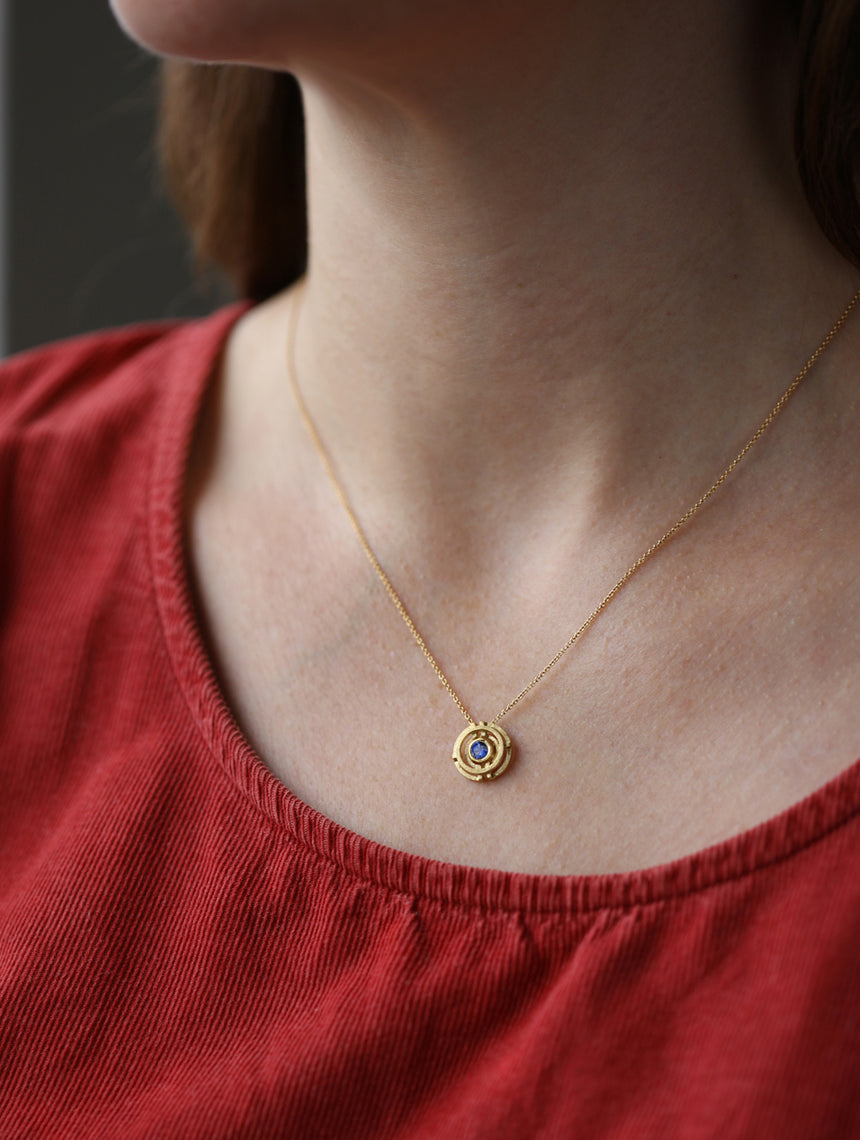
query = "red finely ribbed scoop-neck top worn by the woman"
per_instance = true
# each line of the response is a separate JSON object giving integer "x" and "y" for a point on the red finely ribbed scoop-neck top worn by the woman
{"x": 186, "y": 950}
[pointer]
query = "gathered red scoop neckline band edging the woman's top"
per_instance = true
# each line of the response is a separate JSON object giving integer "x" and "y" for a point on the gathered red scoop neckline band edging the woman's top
{"x": 194, "y": 352}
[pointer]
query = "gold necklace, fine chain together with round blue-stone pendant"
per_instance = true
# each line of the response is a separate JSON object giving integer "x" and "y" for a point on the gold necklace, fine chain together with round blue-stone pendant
{"x": 483, "y": 751}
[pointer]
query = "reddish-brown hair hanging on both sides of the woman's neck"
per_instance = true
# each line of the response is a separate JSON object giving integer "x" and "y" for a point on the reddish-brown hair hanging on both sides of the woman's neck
{"x": 232, "y": 145}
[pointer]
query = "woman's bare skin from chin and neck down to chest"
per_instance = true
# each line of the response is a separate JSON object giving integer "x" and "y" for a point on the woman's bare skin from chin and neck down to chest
{"x": 562, "y": 268}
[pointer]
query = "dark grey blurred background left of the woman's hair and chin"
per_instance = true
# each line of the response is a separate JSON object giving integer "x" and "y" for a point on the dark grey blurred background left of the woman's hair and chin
{"x": 90, "y": 238}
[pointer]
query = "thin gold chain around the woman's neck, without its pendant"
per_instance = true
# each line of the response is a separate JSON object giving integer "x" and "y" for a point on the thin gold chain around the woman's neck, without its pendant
{"x": 645, "y": 557}
